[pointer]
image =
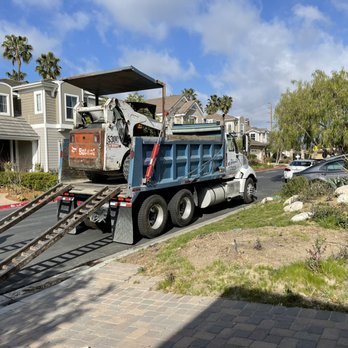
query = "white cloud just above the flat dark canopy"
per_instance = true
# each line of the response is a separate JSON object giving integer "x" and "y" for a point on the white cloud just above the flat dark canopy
{"x": 161, "y": 65}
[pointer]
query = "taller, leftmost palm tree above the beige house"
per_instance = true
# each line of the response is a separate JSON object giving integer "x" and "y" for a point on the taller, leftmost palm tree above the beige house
{"x": 17, "y": 49}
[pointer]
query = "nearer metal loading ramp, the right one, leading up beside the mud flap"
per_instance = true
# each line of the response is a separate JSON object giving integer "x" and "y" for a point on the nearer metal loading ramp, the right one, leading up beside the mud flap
{"x": 37, "y": 246}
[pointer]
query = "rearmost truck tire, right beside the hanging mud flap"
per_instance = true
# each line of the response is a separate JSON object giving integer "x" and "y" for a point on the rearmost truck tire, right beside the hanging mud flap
{"x": 152, "y": 216}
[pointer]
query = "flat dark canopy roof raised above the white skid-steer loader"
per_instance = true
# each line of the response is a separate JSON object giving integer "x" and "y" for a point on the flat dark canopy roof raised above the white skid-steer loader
{"x": 121, "y": 80}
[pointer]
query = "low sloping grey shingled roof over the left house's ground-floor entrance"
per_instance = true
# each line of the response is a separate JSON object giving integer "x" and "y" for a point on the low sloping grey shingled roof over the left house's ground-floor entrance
{"x": 16, "y": 128}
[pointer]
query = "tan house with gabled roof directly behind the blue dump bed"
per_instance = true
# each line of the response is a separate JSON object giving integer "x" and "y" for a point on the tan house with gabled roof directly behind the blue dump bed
{"x": 180, "y": 109}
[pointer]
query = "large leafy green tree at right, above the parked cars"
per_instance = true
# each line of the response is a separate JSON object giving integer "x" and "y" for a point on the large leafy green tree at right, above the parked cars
{"x": 315, "y": 112}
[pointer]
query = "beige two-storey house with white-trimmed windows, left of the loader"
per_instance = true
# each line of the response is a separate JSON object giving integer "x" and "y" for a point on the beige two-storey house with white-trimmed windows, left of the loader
{"x": 34, "y": 119}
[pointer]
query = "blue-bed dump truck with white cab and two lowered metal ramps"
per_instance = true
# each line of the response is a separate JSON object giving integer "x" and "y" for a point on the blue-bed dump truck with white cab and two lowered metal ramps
{"x": 183, "y": 169}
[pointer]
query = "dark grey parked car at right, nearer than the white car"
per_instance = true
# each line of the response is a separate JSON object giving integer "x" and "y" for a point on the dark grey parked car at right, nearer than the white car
{"x": 329, "y": 168}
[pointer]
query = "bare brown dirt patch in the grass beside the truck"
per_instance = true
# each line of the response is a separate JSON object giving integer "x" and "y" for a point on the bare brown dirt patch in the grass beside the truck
{"x": 267, "y": 246}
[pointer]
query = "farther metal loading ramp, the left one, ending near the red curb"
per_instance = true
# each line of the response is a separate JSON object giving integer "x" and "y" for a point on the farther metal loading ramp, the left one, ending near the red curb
{"x": 30, "y": 208}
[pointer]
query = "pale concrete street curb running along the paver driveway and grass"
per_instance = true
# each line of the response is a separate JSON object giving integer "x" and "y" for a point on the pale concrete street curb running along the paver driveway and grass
{"x": 78, "y": 272}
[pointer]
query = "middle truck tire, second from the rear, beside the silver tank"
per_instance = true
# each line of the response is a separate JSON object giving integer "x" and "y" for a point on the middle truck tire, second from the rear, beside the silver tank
{"x": 181, "y": 208}
